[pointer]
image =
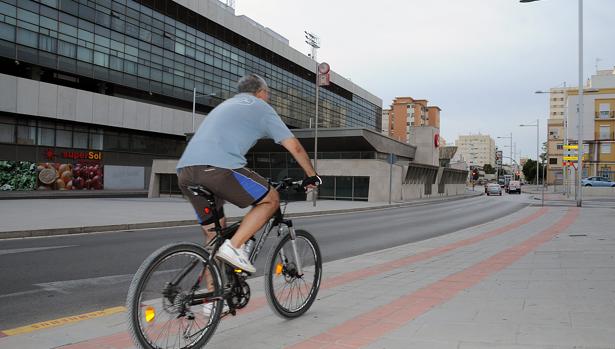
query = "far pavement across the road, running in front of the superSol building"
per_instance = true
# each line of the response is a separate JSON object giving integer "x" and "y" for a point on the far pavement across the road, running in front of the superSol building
{"x": 41, "y": 217}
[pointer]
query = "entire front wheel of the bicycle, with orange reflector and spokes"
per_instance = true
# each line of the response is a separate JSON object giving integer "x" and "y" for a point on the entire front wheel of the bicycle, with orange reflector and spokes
{"x": 289, "y": 292}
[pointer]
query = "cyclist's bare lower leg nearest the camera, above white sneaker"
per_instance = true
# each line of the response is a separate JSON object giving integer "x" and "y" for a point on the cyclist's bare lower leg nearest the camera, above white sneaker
{"x": 256, "y": 218}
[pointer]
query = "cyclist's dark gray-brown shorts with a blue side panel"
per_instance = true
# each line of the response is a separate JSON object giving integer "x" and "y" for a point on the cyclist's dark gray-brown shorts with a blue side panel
{"x": 241, "y": 187}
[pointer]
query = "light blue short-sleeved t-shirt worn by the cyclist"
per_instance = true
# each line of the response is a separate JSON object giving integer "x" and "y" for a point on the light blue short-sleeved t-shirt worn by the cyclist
{"x": 230, "y": 130}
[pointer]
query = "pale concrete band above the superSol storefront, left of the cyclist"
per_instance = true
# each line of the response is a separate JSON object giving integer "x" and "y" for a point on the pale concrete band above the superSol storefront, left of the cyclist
{"x": 30, "y": 97}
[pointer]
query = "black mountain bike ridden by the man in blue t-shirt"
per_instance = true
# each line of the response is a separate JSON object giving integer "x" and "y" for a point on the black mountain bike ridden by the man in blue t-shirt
{"x": 181, "y": 281}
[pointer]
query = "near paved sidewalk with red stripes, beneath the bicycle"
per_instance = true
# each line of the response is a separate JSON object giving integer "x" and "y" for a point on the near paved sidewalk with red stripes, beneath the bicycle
{"x": 539, "y": 278}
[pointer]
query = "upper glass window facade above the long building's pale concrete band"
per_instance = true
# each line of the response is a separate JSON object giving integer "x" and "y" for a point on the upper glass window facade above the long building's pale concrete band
{"x": 159, "y": 50}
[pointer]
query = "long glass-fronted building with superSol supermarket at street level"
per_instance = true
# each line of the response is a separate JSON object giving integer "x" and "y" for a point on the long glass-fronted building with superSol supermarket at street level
{"x": 117, "y": 78}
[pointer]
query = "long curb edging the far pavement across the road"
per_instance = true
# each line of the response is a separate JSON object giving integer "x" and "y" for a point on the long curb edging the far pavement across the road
{"x": 190, "y": 222}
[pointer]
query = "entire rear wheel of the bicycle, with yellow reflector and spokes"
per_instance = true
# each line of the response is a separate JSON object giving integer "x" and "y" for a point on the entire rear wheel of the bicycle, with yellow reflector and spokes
{"x": 162, "y": 312}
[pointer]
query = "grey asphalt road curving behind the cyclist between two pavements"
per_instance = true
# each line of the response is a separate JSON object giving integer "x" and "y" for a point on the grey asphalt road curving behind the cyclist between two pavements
{"x": 47, "y": 278}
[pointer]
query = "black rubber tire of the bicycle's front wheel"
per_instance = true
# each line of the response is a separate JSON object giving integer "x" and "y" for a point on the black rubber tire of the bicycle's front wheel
{"x": 272, "y": 272}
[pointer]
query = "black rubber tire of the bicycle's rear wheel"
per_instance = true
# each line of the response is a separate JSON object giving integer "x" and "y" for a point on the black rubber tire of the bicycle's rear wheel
{"x": 141, "y": 278}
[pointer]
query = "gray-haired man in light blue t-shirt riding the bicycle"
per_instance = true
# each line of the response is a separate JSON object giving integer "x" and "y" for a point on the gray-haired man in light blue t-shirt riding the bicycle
{"x": 215, "y": 158}
